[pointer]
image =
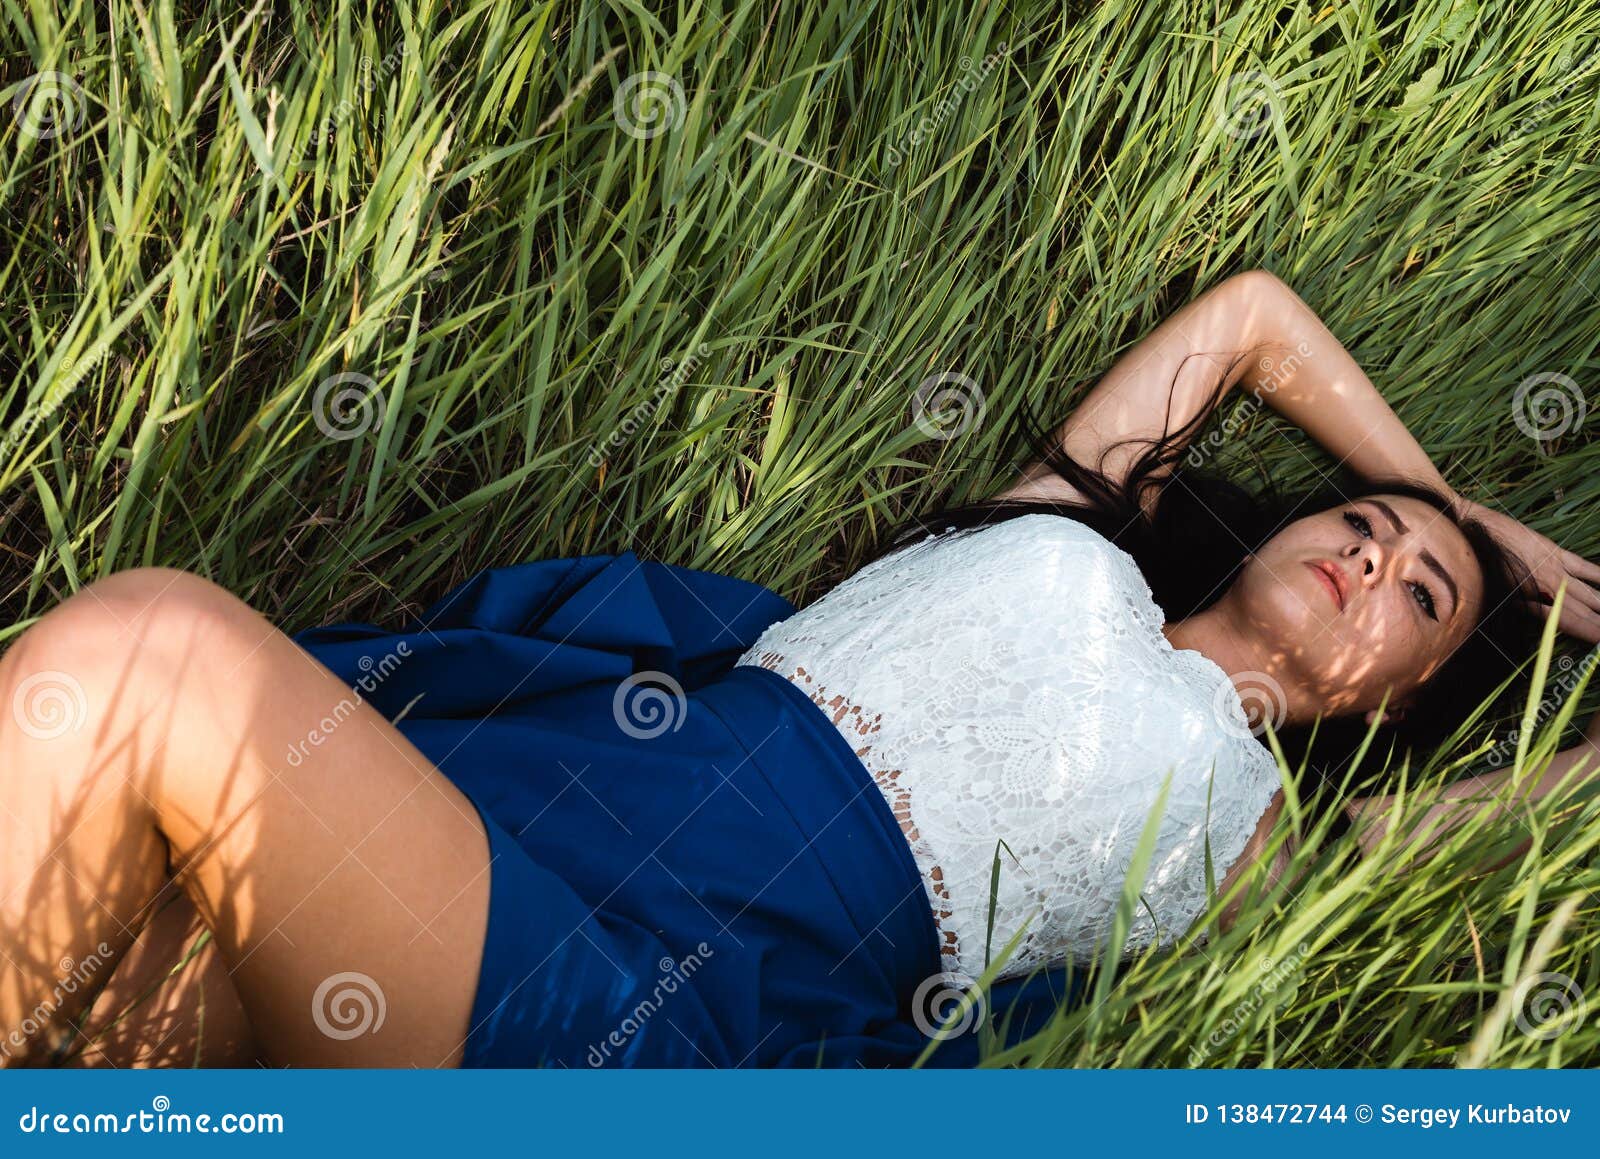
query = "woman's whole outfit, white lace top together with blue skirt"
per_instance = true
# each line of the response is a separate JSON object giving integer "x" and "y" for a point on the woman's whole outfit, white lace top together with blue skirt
{"x": 727, "y": 833}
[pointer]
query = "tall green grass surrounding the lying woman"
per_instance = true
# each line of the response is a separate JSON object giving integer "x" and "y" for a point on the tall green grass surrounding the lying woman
{"x": 850, "y": 199}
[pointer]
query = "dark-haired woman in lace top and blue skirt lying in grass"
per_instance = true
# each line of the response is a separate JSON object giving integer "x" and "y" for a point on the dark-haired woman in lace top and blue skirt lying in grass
{"x": 604, "y": 812}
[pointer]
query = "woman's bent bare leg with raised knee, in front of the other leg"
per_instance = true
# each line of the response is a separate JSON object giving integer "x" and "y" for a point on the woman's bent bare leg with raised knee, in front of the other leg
{"x": 146, "y": 731}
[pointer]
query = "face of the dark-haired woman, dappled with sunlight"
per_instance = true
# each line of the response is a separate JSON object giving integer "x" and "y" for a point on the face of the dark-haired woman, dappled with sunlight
{"x": 1362, "y": 598}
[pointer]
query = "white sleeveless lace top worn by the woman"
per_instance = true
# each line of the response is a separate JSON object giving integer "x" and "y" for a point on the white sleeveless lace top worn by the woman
{"x": 1012, "y": 684}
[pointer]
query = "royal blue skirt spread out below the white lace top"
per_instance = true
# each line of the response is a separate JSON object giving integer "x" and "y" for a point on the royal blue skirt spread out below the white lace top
{"x": 689, "y": 865}
